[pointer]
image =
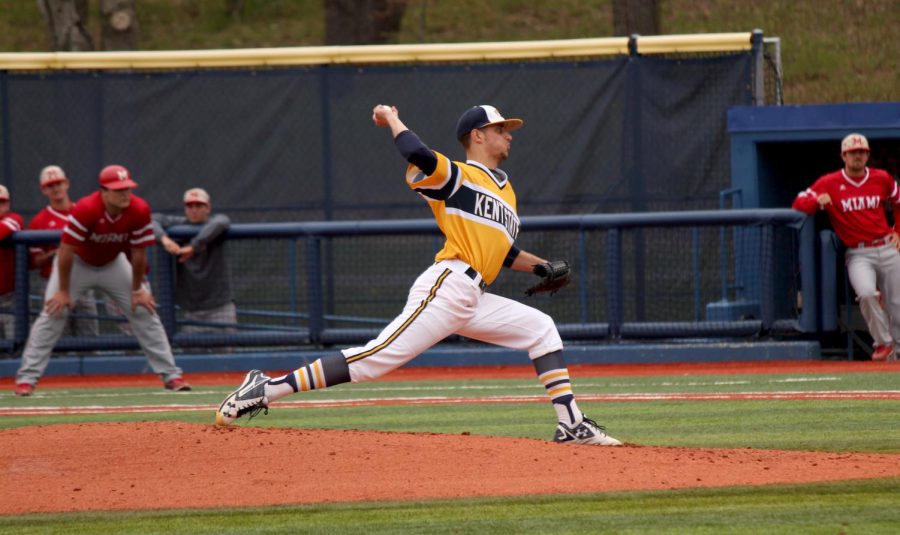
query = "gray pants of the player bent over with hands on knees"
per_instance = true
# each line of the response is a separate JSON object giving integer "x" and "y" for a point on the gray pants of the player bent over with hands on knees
{"x": 114, "y": 279}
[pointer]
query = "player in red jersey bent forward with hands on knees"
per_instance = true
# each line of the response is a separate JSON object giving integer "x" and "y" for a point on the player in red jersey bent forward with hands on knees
{"x": 101, "y": 228}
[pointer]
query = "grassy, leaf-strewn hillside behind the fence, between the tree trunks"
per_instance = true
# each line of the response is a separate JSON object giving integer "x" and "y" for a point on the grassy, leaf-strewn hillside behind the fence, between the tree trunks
{"x": 832, "y": 50}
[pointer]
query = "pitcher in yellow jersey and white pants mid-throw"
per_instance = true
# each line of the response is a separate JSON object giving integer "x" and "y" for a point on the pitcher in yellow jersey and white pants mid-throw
{"x": 475, "y": 207}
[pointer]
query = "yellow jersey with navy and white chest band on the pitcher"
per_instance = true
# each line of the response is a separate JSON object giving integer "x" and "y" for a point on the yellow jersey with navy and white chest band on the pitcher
{"x": 475, "y": 208}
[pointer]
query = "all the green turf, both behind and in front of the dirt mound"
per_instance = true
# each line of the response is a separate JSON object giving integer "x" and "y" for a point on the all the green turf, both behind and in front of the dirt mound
{"x": 845, "y": 425}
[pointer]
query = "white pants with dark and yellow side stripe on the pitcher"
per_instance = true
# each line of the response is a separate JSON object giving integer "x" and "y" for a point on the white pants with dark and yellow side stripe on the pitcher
{"x": 444, "y": 301}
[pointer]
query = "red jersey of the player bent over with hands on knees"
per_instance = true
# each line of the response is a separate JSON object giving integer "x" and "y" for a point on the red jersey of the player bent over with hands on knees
{"x": 99, "y": 237}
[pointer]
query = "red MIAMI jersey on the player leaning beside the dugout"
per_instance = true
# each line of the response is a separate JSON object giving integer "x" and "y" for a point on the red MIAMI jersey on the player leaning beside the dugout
{"x": 857, "y": 206}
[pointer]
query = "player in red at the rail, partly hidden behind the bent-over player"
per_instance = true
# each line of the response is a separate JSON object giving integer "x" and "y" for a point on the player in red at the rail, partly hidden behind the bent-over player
{"x": 54, "y": 216}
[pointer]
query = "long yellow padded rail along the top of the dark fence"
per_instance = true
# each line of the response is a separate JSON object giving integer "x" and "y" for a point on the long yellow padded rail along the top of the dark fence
{"x": 372, "y": 54}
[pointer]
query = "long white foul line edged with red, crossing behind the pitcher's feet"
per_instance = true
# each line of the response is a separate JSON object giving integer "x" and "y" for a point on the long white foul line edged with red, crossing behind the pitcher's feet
{"x": 442, "y": 400}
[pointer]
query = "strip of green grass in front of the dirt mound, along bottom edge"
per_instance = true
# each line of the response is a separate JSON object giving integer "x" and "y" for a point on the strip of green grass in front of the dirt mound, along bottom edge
{"x": 867, "y": 507}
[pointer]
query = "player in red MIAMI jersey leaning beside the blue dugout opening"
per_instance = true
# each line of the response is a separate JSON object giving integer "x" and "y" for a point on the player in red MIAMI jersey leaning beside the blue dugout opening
{"x": 854, "y": 199}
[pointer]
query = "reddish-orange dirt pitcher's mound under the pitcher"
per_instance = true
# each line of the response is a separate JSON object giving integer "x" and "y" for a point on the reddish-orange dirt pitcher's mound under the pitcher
{"x": 163, "y": 465}
